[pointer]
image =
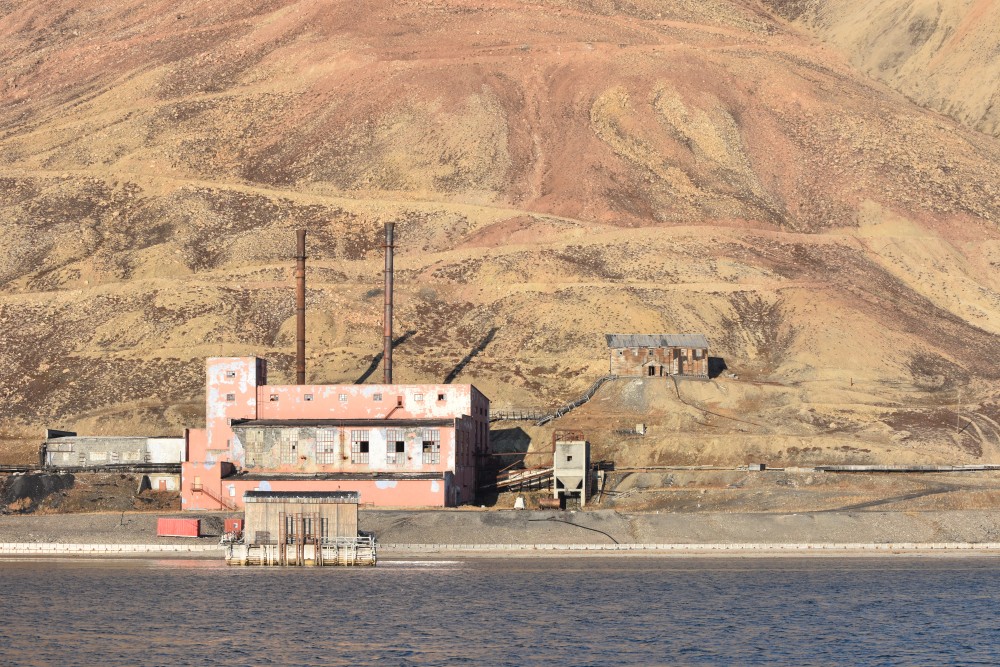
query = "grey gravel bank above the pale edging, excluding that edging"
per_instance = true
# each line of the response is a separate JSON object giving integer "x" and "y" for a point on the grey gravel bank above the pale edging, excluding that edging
{"x": 409, "y": 527}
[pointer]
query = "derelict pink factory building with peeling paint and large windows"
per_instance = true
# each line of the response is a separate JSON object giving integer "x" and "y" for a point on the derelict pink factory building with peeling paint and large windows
{"x": 397, "y": 445}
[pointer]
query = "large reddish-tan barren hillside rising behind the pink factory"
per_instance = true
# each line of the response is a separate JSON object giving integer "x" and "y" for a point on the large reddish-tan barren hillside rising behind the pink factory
{"x": 557, "y": 170}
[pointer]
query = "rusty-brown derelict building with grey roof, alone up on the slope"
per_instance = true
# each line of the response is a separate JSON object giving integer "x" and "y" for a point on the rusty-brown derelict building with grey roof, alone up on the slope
{"x": 658, "y": 355}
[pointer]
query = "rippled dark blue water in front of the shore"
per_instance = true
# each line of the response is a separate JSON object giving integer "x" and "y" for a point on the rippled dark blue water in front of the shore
{"x": 580, "y": 611}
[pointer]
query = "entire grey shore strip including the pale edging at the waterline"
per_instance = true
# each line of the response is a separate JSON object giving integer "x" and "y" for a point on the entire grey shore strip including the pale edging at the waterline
{"x": 444, "y": 534}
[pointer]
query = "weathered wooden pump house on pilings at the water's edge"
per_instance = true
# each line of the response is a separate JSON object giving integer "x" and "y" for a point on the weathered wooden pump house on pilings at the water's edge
{"x": 301, "y": 528}
